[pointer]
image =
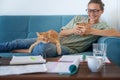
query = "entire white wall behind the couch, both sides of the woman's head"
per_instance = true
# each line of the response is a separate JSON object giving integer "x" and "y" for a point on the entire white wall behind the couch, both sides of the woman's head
{"x": 59, "y": 7}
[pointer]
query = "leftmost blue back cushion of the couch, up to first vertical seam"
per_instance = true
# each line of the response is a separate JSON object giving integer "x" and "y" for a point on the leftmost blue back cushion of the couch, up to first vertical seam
{"x": 13, "y": 27}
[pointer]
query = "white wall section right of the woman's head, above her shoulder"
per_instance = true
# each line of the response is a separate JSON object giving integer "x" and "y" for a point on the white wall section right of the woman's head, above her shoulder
{"x": 111, "y": 12}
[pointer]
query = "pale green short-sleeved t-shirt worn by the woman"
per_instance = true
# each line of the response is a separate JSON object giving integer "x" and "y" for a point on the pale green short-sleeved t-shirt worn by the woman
{"x": 78, "y": 43}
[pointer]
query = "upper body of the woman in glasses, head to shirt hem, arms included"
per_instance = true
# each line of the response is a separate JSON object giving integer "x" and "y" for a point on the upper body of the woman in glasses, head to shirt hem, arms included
{"x": 72, "y": 34}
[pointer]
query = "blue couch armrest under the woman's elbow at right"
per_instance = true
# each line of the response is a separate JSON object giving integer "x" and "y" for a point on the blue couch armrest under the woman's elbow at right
{"x": 113, "y": 48}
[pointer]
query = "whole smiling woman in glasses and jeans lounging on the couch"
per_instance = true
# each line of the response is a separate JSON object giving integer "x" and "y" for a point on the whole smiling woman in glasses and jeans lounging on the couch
{"x": 75, "y": 38}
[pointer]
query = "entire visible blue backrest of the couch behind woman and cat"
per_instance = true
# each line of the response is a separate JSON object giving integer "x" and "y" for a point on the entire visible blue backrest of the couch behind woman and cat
{"x": 19, "y": 27}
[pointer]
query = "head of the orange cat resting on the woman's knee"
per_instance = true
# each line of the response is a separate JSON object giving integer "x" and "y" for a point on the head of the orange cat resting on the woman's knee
{"x": 43, "y": 36}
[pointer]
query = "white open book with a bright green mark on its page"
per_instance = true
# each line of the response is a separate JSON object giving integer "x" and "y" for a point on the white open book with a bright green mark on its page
{"x": 27, "y": 59}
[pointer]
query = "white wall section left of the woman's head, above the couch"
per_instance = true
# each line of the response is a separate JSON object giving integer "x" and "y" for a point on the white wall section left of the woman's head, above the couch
{"x": 42, "y": 7}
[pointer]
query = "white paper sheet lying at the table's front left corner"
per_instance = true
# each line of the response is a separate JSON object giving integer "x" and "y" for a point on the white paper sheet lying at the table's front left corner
{"x": 22, "y": 69}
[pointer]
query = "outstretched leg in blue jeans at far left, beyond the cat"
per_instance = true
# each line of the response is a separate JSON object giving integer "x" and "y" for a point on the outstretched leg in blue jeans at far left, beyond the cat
{"x": 16, "y": 44}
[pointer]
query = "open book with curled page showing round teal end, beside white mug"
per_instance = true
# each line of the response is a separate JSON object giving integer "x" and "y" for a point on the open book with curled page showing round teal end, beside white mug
{"x": 64, "y": 66}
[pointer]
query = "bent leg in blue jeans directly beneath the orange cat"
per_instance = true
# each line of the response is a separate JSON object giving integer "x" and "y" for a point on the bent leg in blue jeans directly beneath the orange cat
{"x": 49, "y": 50}
